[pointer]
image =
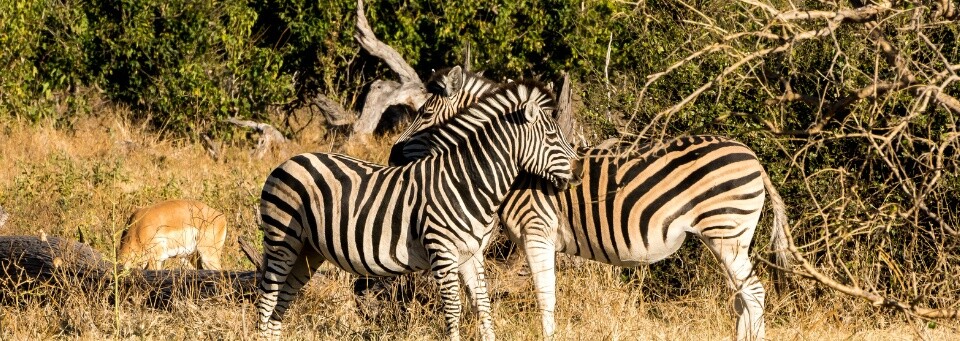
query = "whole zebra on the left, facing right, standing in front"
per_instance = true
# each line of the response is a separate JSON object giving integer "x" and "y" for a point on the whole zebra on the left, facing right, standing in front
{"x": 435, "y": 213}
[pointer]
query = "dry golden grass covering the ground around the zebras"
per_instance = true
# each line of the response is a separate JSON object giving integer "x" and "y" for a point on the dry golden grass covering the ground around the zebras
{"x": 82, "y": 182}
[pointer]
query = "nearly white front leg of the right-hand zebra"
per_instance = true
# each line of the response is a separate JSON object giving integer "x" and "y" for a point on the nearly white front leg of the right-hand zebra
{"x": 541, "y": 257}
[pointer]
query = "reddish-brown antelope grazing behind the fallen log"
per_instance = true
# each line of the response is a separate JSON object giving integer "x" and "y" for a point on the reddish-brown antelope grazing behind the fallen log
{"x": 173, "y": 228}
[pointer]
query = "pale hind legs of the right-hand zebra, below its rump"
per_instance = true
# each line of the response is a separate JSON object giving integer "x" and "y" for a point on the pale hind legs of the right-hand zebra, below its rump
{"x": 734, "y": 256}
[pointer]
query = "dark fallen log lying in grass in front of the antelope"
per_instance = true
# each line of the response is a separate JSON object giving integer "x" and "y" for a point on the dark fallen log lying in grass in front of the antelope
{"x": 61, "y": 265}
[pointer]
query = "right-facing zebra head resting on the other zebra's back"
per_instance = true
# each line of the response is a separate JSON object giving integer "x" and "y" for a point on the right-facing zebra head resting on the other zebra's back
{"x": 544, "y": 150}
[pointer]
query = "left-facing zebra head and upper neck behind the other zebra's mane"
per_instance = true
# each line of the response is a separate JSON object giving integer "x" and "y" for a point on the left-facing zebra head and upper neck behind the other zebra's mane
{"x": 451, "y": 90}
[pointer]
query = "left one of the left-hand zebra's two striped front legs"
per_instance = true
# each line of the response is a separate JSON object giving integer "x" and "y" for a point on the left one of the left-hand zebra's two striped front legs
{"x": 445, "y": 272}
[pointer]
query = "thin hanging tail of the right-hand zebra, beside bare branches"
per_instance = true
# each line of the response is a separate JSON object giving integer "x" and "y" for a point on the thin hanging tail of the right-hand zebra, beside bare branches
{"x": 779, "y": 246}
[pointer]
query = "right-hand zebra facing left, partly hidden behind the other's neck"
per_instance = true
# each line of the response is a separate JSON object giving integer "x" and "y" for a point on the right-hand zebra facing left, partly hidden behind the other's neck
{"x": 636, "y": 206}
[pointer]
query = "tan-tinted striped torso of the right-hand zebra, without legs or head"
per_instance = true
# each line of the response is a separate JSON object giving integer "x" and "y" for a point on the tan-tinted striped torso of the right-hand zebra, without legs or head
{"x": 635, "y": 207}
